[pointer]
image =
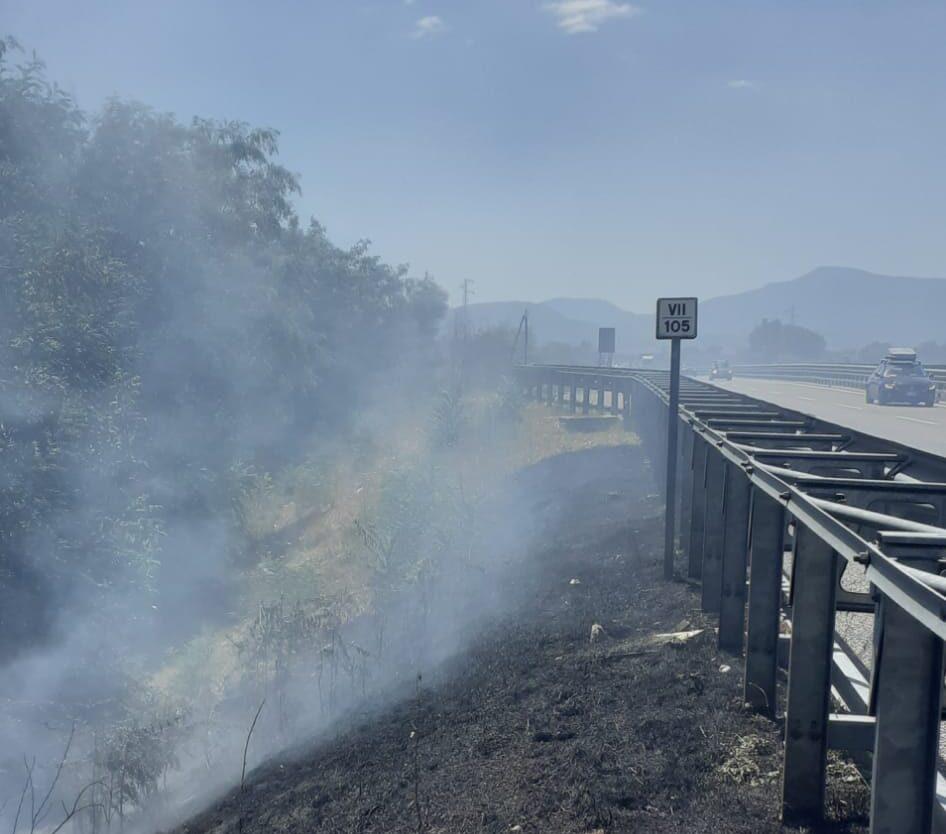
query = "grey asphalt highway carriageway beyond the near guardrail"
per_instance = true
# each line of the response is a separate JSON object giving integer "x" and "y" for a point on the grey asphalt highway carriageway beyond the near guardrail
{"x": 923, "y": 428}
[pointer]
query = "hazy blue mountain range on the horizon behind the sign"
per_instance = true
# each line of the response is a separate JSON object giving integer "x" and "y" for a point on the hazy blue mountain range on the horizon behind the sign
{"x": 849, "y": 307}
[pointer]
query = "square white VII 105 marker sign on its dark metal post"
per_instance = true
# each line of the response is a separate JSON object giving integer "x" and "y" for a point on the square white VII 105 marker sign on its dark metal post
{"x": 676, "y": 320}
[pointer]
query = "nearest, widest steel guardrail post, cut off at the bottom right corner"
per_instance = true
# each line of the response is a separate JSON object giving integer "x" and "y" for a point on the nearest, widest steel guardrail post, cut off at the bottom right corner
{"x": 909, "y": 686}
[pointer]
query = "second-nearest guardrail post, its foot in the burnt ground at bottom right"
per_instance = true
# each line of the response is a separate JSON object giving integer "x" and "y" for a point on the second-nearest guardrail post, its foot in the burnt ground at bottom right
{"x": 814, "y": 576}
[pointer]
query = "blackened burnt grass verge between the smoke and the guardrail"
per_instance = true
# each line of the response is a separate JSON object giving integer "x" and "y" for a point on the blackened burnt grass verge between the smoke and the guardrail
{"x": 538, "y": 728}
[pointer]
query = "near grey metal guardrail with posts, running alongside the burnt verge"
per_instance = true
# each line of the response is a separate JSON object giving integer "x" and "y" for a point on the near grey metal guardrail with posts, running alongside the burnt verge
{"x": 759, "y": 482}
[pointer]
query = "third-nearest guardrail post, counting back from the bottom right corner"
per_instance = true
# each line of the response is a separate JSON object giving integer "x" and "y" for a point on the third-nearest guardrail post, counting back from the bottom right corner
{"x": 767, "y": 528}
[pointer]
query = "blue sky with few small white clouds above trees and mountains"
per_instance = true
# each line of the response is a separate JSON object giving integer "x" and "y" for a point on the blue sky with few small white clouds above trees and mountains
{"x": 581, "y": 148}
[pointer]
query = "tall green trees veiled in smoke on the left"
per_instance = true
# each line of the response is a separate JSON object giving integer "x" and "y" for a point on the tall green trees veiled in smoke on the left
{"x": 166, "y": 319}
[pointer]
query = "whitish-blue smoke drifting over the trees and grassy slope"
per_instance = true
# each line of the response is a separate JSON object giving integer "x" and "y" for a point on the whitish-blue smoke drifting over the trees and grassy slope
{"x": 195, "y": 388}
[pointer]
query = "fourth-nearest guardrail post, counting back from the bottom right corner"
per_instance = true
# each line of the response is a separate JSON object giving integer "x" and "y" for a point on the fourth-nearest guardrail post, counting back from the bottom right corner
{"x": 732, "y": 610}
